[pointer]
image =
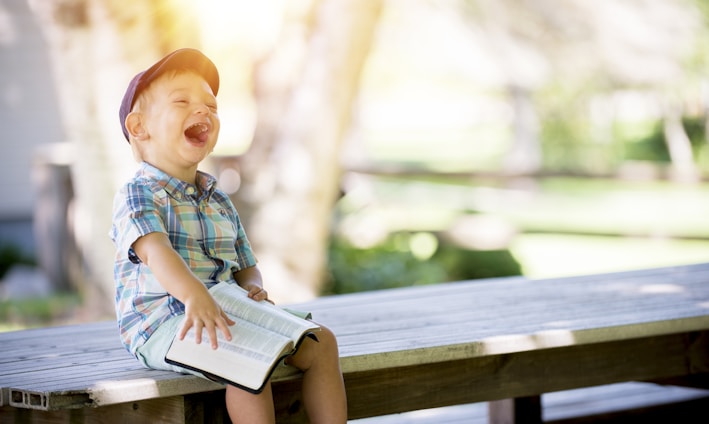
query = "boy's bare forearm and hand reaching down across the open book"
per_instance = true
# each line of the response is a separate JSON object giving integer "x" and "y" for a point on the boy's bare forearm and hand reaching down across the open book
{"x": 171, "y": 271}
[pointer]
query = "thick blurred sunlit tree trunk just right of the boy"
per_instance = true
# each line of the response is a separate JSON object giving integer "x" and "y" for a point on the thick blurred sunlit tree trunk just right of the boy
{"x": 291, "y": 173}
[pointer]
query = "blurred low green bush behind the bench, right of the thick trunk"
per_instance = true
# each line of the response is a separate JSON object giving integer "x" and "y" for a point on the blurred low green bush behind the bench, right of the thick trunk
{"x": 387, "y": 265}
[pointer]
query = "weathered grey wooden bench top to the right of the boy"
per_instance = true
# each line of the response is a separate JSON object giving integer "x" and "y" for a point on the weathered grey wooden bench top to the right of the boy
{"x": 530, "y": 314}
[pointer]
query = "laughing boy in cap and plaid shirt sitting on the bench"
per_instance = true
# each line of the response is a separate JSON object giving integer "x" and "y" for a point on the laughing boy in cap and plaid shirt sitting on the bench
{"x": 176, "y": 235}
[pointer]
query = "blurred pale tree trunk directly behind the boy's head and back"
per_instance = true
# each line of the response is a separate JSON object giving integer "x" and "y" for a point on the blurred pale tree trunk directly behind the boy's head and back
{"x": 95, "y": 48}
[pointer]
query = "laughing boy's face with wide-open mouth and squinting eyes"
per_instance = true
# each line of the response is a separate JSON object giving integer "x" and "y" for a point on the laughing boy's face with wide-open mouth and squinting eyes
{"x": 180, "y": 123}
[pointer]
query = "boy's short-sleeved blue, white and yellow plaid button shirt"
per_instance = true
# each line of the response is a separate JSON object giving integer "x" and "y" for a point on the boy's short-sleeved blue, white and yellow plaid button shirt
{"x": 203, "y": 228}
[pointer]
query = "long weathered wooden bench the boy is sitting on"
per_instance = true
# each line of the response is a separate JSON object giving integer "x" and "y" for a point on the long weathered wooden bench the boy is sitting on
{"x": 506, "y": 341}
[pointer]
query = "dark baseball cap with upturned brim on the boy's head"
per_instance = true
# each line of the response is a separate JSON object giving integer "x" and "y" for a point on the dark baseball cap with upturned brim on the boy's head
{"x": 188, "y": 59}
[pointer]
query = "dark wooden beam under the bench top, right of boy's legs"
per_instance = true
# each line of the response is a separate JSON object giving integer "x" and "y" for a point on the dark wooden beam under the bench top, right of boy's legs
{"x": 520, "y": 374}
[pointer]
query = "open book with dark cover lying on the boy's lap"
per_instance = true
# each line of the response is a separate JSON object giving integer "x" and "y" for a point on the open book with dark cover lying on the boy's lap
{"x": 263, "y": 335}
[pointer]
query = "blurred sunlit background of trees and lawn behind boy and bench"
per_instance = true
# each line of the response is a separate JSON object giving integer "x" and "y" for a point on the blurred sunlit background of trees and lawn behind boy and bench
{"x": 367, "y": 144}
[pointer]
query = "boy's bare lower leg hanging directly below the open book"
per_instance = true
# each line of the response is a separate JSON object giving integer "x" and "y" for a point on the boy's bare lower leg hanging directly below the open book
{"x": 245, "y": 407}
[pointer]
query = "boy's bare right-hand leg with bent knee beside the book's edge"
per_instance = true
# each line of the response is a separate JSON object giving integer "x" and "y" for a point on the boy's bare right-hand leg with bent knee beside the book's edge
{"x": 323, "y": 388}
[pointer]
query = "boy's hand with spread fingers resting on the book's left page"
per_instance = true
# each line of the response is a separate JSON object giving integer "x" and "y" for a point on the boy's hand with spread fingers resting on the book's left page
{"x": 203, "y": 312}
